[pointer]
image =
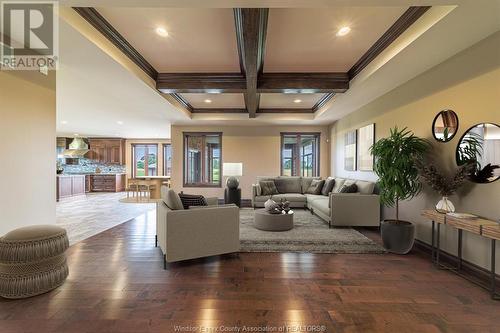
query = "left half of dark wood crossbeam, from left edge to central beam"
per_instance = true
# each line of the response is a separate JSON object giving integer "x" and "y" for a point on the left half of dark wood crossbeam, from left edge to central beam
{"x": 201, "y": 83}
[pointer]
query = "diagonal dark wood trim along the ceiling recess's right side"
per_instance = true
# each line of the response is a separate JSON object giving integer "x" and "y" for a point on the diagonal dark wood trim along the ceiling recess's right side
{"x": 404, "y": 22}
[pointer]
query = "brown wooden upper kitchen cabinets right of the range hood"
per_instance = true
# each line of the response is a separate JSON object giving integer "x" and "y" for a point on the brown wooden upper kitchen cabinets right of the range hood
{"x": 107, "y": 151}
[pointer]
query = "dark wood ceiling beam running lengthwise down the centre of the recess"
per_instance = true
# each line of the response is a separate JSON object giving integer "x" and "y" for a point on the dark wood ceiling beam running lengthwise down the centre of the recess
{"x": 251, "y": 28}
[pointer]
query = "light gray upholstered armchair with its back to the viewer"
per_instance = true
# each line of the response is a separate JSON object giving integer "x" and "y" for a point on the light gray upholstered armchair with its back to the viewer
{"x": 196, "y": 232}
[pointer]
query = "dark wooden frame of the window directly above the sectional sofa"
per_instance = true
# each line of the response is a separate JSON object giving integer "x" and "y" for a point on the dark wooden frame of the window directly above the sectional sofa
{"x": 297, "y": 163}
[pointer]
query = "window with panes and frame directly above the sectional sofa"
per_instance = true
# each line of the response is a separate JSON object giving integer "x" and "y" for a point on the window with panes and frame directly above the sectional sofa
{"x": 299, "y": 154}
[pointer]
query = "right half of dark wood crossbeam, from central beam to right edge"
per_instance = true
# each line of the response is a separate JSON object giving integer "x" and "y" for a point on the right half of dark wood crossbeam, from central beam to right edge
{"x": 303, "y": 82}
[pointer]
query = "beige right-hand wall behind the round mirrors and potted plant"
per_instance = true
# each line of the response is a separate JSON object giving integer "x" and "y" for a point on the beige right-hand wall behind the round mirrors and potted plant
{"x": 469, "y": 84}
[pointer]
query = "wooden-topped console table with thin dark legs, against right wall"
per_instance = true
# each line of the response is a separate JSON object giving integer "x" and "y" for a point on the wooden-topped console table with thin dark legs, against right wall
{"x": 479, "y": 226}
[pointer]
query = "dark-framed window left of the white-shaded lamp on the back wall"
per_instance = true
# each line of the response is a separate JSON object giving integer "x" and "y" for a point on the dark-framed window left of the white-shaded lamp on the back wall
{"x": 202, "y": 159}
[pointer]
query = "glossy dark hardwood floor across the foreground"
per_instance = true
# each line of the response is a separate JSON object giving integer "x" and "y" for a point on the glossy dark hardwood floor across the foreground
{"x": 117, "y": 284}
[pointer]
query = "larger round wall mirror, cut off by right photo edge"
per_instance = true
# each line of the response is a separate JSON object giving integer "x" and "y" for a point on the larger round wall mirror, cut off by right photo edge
{"x": 480, "y": 146}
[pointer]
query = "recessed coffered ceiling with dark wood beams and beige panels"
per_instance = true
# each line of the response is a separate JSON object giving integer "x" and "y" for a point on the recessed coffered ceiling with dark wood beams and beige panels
{"x": 252, "y": 60}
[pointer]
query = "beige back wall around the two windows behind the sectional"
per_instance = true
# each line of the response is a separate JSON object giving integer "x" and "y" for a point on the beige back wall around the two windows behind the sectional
{"x": 258, "y": 148}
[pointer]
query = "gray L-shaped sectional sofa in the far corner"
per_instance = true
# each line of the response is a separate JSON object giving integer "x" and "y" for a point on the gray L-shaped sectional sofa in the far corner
{"x": 338, "y": 209}
